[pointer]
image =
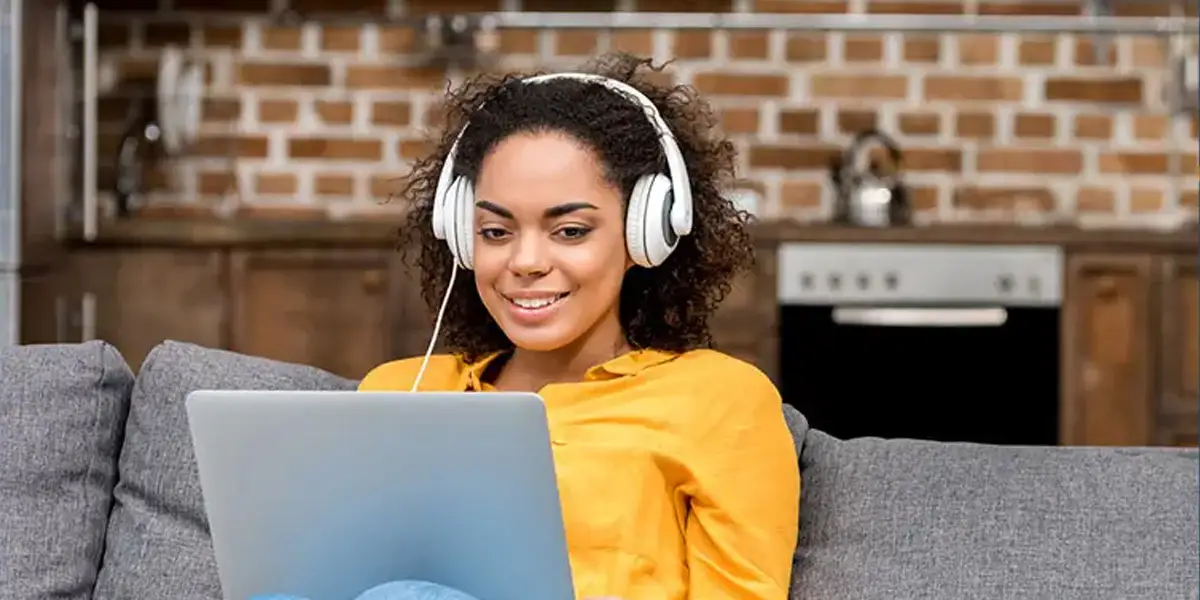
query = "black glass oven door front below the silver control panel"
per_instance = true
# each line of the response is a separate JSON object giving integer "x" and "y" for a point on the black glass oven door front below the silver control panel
{"x": 994, "y": 383}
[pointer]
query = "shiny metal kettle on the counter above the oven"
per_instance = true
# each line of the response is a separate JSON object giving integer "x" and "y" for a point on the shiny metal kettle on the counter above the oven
{"x": 871, "y": 197}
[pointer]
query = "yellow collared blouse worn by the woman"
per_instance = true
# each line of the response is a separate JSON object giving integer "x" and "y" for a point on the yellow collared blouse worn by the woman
{"x": 677, "y": 473}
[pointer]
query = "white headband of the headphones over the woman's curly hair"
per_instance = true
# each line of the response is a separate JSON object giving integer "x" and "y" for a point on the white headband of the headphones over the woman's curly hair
{"x": 681, "y": 213}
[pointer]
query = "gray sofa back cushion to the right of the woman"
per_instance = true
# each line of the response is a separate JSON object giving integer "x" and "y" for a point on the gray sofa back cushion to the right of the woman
{"x": 905, "y": 519}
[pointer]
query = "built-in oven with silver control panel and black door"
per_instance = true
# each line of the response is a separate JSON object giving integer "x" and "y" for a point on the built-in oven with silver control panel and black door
{"x": 947, "y": 343}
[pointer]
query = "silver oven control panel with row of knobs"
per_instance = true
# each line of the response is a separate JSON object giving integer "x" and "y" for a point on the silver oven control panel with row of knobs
{"x": 935, "y": 275}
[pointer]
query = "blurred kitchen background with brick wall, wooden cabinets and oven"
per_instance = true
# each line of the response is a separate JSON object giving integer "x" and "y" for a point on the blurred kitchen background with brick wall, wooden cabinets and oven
{"x": 977, "y": 218}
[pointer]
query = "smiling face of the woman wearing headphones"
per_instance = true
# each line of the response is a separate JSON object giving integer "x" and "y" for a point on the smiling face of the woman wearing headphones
{"x": 550, "y": 242}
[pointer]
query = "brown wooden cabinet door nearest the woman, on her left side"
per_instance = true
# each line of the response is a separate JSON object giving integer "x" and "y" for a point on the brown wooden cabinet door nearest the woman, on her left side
{"x": 328, "y": 309}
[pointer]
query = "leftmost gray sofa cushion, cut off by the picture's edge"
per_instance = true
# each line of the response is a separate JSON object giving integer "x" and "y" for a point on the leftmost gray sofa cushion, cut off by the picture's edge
{"x": 62, "y": 413}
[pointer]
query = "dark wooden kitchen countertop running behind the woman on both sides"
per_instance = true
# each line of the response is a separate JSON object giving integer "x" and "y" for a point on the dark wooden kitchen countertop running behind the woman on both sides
{"x": 379, "y": 233}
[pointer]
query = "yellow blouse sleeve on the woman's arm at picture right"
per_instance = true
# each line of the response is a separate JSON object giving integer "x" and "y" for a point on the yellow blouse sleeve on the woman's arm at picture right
{"x": 745, "y": 495}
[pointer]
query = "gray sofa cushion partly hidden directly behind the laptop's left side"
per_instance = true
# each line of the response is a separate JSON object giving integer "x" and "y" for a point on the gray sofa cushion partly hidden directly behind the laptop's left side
{"x": 159, "y": 543}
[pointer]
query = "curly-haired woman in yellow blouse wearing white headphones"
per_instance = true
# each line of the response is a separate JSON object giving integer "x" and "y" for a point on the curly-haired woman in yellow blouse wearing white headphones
{"x": 677, "y": 473}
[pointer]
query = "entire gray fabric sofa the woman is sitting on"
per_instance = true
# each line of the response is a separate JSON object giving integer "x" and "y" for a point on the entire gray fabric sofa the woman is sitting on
{"x": 99, "y": 497}
